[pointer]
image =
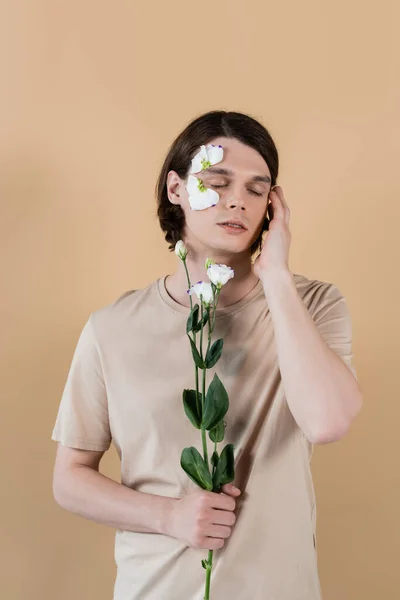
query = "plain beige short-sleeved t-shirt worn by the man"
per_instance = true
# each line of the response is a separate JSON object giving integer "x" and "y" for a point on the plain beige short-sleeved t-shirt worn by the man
{"x": 125, "y": 384}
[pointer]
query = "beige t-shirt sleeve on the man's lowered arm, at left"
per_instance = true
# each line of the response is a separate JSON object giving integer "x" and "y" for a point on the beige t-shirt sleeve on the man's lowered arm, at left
{"x": 82, "y": 421}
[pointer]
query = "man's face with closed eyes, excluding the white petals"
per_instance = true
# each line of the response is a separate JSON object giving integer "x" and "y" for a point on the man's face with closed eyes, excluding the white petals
{"x": 243, "y": 181}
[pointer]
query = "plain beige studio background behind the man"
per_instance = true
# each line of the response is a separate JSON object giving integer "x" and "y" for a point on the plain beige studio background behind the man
{"x": 92, "y": 95}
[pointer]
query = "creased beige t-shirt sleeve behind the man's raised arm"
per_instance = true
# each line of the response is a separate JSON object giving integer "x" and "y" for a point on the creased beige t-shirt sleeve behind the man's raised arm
{"x": 333, "y": 320}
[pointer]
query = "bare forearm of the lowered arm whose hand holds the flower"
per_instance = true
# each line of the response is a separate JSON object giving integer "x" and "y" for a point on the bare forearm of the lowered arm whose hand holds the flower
{"x": 90, "y": 494}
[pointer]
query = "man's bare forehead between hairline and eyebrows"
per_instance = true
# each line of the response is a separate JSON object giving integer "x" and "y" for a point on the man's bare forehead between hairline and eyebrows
{"x": 240, "y": 158}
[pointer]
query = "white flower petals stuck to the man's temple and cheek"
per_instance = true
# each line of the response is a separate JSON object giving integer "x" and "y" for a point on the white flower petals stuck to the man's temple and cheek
{"x": 201, "y": 197}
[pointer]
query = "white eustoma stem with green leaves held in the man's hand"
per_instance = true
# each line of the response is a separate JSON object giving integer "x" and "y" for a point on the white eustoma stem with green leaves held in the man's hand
{"x": 206, "y": 409}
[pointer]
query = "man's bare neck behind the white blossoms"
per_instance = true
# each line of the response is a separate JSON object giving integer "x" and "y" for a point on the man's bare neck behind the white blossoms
{"x": 236, "y": 288}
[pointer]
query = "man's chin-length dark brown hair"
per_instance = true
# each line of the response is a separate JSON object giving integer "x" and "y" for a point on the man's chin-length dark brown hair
{"x": 200, "y": 131}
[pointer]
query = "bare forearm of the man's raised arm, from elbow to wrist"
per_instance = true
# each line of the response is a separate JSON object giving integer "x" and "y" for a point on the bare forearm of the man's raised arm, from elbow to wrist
{"x": 321, "y": 391}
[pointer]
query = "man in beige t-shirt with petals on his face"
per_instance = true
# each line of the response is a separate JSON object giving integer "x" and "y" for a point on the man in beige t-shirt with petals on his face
{"x": 286, "y": 365}
